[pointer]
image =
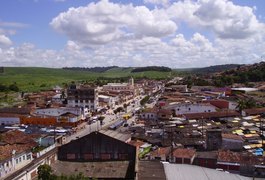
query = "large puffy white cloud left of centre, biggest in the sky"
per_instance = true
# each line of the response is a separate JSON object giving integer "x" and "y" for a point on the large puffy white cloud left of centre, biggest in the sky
{"x": 104, "y": 22}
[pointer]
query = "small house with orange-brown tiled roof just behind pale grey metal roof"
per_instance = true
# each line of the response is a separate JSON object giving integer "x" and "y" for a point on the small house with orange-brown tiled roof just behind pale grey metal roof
{"x": 184, "y": 155}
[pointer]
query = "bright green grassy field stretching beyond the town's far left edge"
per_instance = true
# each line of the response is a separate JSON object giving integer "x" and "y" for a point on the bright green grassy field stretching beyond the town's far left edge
{"x": 30, "y": 79}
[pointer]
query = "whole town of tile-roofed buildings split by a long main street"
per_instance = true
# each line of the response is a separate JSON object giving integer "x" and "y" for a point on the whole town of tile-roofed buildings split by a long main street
{"x": 144, "y": 129}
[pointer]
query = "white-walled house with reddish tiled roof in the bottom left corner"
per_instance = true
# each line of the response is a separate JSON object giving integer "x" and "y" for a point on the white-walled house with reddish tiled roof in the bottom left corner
{"x": 15, "y": 148}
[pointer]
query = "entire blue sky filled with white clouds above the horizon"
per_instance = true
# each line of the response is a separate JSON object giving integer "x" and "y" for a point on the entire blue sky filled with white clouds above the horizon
{"x": 173, "y": 33}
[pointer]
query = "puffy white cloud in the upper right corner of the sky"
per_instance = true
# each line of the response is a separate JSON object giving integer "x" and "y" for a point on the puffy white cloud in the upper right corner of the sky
{"x": 222, "y": 17}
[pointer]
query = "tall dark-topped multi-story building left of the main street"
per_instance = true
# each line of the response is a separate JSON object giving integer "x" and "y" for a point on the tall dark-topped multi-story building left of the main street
{"x": 83, "y": 96}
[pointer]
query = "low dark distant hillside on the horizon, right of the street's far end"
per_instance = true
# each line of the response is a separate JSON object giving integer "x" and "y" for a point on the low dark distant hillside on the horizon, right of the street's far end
{"x": 214, "y": 69}
